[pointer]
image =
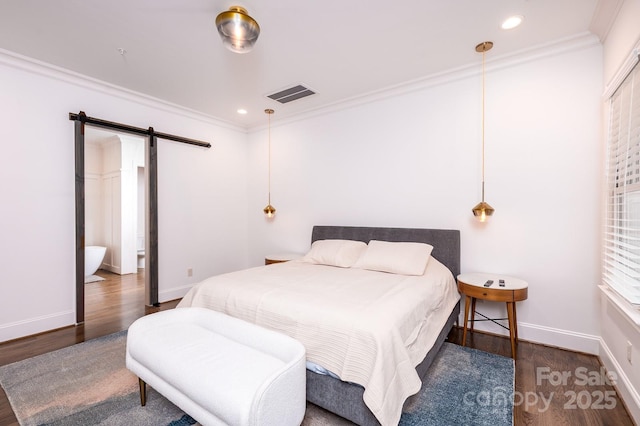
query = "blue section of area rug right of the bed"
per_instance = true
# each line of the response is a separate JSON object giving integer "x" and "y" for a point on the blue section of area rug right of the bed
{"x": 464, "y": 386}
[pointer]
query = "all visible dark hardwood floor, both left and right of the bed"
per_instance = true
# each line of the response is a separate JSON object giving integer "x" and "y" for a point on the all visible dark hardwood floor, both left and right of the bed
{"x": 542, "y": 396}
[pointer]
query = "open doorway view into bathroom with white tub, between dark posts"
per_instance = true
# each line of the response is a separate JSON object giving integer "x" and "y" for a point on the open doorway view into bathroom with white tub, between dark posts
{"x": 114, "y": 186}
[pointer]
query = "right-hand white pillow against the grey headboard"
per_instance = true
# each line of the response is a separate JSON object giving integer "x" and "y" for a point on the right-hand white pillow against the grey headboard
{"x": 398, "y": 258}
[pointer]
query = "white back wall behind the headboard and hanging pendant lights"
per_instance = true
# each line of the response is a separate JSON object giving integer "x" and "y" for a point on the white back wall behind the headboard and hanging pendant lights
{"x": 413, "y": 160}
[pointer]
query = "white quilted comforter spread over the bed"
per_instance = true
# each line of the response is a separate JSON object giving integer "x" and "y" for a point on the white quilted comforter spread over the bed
{"x": 368, "y": 327}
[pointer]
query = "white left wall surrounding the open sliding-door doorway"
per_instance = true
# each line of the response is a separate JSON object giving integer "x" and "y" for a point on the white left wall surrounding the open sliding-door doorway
{"x": 202, "y": 192}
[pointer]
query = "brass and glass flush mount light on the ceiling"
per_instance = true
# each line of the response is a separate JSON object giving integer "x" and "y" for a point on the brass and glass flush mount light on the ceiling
{"x": 238, "y": 30}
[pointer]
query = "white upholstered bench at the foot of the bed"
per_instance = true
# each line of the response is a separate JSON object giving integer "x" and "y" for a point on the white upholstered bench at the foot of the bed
{"x": 218, "y": 369}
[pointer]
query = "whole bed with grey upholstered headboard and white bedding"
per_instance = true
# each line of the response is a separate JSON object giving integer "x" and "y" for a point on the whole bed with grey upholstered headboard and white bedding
{"x": 363, "y": 361}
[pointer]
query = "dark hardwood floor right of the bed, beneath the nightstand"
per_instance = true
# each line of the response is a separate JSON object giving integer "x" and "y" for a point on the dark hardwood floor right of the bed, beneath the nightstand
{"x": 554, "y": 386}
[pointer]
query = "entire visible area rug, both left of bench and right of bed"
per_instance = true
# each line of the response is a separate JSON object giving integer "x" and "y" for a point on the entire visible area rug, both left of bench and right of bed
{"x": 88, "y": 384}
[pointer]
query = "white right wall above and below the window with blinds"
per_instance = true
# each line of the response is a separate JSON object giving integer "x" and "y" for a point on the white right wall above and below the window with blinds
{"x": 617, "y": 328}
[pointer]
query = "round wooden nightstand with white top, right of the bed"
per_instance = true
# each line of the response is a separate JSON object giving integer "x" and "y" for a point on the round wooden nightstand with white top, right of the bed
{"x": 473, "y": 287}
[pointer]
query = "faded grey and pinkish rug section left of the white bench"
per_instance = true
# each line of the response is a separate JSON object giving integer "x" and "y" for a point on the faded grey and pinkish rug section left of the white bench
{"x": 84, "y": 384}
